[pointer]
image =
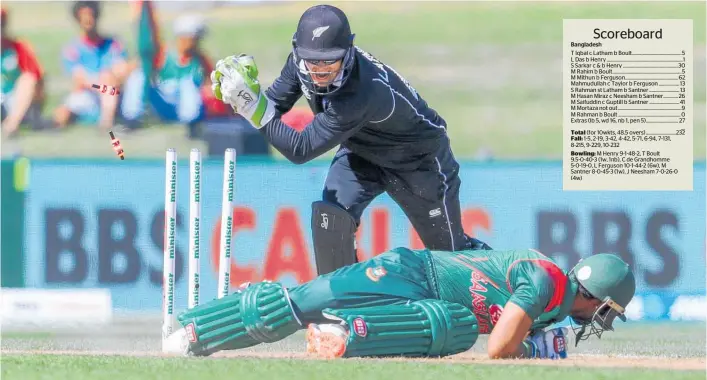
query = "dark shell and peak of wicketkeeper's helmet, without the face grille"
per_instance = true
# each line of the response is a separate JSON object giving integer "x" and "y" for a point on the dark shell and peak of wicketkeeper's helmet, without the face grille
{"x": 323, "y": 33}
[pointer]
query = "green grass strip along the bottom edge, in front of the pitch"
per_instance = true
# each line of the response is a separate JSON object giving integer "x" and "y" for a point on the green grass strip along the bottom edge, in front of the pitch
{"x": 134, "y": 368}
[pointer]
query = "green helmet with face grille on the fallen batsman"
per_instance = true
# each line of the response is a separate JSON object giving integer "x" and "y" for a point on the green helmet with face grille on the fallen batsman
{"x": 609, "y": 279}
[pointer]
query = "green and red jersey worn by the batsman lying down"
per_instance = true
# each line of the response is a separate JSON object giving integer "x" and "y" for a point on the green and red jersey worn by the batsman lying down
{"x": 485, "y": 281}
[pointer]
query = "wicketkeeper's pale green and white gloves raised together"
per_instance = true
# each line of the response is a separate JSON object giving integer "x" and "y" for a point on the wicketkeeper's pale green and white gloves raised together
{"x": 234, "y": 81}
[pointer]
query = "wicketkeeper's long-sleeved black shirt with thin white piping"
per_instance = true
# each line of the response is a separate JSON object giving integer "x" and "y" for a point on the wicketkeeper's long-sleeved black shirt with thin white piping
{"x": 377, "y": 115}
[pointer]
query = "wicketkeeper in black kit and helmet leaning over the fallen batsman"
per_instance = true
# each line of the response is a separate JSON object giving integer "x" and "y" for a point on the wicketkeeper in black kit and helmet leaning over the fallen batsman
{"x": 390, "y": 139}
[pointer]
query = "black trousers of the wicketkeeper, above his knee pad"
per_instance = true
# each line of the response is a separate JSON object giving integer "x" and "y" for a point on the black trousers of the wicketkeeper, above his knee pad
{"x": 429, "y": 195}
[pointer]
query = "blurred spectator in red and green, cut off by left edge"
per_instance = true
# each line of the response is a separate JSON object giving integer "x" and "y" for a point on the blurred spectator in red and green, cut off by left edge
{"x": 22, "y": 83}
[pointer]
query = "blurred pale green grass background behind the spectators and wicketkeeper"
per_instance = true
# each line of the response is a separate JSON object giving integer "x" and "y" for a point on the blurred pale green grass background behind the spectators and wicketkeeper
{"x": 493, "y": 70}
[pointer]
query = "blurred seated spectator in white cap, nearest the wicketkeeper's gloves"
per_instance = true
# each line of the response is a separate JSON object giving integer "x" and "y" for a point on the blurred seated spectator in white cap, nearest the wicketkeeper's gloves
{"x": 180, "y": 88}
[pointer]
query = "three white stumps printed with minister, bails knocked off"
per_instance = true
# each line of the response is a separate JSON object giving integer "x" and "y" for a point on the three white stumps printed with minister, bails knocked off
{"x": 194, "y": 266}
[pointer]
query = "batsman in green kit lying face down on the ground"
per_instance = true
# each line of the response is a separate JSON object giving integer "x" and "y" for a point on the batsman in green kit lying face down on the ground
{"x": 420, "y": 303}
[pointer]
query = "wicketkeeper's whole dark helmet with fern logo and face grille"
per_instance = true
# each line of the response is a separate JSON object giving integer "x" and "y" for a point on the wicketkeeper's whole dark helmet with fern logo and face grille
{"x": 323, "y": 34}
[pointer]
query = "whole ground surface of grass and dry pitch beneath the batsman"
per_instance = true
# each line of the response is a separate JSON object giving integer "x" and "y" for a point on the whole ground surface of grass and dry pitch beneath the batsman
{"x": 130, "y": 350}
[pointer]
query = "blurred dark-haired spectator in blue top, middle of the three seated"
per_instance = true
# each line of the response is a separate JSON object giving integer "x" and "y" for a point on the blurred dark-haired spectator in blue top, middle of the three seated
{"x": 91, "y": 58}
